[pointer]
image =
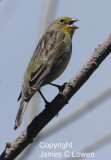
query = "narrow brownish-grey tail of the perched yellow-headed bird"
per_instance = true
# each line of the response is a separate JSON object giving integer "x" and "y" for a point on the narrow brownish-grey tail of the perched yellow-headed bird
{"x": 20, "y": 114}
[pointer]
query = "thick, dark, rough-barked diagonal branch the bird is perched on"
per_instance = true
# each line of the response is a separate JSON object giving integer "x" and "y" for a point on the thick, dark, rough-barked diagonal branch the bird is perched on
{"x": 40, "y": 121}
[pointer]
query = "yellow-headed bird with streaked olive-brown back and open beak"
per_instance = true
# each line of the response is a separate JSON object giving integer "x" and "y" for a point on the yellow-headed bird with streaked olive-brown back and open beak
{"x": 48, "y": 61}
